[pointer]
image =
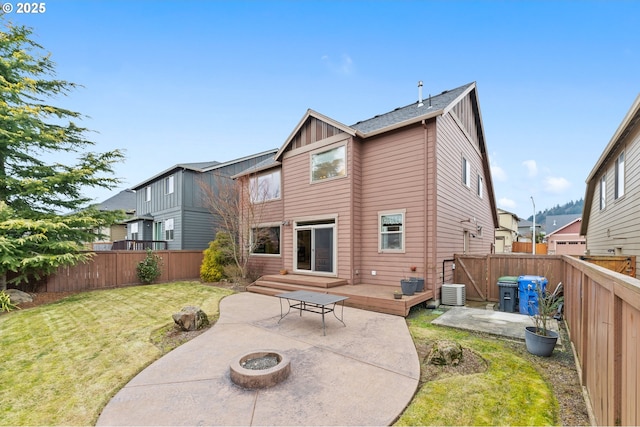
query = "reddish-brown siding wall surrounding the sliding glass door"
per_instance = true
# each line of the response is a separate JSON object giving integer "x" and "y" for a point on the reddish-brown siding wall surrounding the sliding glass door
{"x": 304, "y": 199}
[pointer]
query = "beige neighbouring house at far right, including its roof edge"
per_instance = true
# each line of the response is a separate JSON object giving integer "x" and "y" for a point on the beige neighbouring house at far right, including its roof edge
{"x": 611, "y": 213}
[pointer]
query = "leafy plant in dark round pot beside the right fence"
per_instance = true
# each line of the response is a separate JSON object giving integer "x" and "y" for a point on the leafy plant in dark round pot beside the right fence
{"x": 539, "y": 339}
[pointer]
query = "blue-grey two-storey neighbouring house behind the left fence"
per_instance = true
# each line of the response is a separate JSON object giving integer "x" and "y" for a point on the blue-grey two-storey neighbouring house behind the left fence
{"x": 171, "y": 207}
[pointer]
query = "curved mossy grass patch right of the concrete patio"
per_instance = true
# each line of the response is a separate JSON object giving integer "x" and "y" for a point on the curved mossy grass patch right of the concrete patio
{"x": 510, "y": 392}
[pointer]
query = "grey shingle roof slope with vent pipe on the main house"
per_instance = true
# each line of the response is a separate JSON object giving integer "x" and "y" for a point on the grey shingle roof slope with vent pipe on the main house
{"x": 411, "y": 111}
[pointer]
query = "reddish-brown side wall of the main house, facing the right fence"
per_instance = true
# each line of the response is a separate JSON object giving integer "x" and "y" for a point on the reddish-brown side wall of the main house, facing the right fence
{"x": 459, "y": 208}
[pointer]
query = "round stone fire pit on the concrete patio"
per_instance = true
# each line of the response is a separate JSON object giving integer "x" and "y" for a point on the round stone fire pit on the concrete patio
{"x": 260, "y": 369}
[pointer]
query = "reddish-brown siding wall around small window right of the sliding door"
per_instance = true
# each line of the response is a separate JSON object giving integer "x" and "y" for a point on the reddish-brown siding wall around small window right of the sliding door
{"x": 393, "y": 178}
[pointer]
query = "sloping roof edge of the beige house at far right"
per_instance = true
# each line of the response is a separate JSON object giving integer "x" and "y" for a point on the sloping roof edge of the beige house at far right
{"x": 629, "y": 122}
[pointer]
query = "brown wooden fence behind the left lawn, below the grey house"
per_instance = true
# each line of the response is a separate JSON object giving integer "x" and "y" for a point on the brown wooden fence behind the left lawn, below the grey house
{"x": 112, "y": 269}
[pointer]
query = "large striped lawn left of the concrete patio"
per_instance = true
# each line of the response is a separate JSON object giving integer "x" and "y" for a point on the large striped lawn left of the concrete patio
{"x": 62, "y": 362}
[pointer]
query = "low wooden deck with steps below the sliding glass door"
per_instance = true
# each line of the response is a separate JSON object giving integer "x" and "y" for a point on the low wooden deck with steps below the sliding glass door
{"x": 365, "y": 296}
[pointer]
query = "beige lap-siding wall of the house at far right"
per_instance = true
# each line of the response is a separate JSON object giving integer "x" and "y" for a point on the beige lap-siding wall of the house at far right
{"x": 615, "y": 230}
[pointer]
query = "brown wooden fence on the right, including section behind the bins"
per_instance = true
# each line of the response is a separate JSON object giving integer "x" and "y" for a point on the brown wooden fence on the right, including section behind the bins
{"x": 602, "y": 314}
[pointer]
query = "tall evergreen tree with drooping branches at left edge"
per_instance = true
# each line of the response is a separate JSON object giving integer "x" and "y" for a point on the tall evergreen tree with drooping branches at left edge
{"x": 37, "y": 234}
